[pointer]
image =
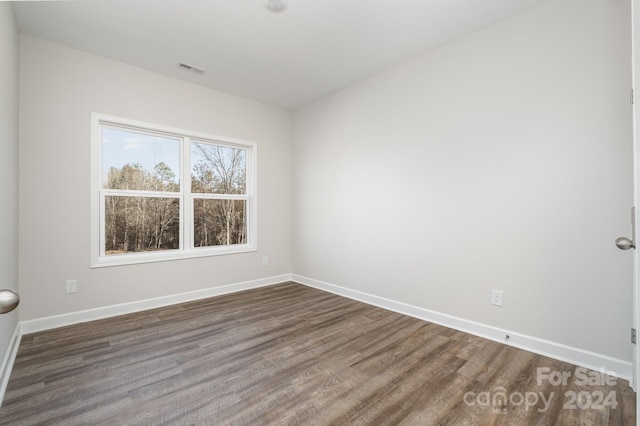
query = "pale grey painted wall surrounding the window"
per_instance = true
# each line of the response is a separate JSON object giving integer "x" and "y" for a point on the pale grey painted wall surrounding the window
{"x": 60, "y": 88}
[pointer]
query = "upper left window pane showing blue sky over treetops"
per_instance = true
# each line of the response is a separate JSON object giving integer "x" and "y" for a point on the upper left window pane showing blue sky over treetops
{"x": 139, "y": 161}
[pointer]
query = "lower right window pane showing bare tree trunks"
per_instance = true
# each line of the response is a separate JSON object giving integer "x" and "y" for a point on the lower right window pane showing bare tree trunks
{"x": 219, "y": 222}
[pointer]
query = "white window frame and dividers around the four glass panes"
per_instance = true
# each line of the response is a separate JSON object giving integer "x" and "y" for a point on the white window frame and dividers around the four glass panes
{"x": 186, "y": 249}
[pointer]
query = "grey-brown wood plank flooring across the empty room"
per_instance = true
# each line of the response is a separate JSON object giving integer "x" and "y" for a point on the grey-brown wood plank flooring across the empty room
{"x": 291, "y": 355}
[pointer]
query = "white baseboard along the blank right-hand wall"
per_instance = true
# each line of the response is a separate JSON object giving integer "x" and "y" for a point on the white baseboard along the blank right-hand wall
{"x": 620, "y": 368}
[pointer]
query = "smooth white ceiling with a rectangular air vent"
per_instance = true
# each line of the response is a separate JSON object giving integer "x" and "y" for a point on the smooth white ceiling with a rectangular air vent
{"x": 287, "y": 59}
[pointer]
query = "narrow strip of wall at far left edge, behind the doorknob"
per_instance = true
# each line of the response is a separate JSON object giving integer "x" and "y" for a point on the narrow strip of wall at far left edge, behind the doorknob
{"x": 8, "y": 166}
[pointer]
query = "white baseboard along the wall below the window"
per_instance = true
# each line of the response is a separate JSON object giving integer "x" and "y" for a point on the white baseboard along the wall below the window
{"x": 47, "y": 323}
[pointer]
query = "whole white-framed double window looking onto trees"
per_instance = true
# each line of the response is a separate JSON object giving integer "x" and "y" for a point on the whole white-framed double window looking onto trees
{"x": 162, "y": 193}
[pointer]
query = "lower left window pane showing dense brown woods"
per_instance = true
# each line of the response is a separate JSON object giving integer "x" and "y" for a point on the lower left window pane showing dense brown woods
{"x": 141, "y": 224}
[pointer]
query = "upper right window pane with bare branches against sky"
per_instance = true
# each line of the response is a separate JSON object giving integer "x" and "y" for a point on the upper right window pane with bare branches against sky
{"x": 218, "y": 169}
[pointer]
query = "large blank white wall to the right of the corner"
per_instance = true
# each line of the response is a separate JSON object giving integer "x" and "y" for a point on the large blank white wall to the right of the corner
{"x": 502, "y": 160}
